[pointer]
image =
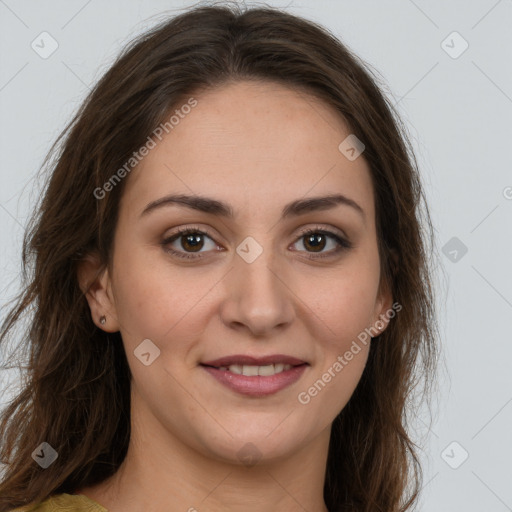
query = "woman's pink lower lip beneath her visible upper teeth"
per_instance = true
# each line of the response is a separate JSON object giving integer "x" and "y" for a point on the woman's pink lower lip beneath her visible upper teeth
{"x": 257, "y": 385}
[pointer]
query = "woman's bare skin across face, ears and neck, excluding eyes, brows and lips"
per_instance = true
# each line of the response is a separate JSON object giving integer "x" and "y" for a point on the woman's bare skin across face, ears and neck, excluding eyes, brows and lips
{"x": 256, "y": 146}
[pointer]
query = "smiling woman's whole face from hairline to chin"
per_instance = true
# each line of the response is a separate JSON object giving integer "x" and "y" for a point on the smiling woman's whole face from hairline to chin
{"x": 254, "y": 286}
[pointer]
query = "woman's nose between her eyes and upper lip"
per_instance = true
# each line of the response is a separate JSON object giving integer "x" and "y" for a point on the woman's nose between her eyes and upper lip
{"x": 257, "y": 297}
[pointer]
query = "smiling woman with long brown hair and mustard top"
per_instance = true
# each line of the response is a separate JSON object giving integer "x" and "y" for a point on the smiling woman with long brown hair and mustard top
{"x": 231, "y": 286}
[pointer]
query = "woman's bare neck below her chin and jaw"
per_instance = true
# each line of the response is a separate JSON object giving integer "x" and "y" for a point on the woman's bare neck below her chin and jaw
{"x": 161, "y": 473}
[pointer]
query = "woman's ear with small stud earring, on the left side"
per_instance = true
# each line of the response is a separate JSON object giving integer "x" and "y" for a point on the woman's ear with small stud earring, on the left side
{"x": 94, "y": 281}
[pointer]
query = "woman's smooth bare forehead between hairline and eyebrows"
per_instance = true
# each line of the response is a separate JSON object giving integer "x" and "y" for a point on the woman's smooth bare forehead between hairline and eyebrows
{"x": 256, "y": 145}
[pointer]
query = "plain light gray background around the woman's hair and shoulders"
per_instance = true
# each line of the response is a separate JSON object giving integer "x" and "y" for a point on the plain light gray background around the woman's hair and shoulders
{"x": 459, "y": 113}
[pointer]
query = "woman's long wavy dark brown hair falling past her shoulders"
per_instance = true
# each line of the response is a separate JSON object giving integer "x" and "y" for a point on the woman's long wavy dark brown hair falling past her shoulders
{"x": 76, "y": 389}
